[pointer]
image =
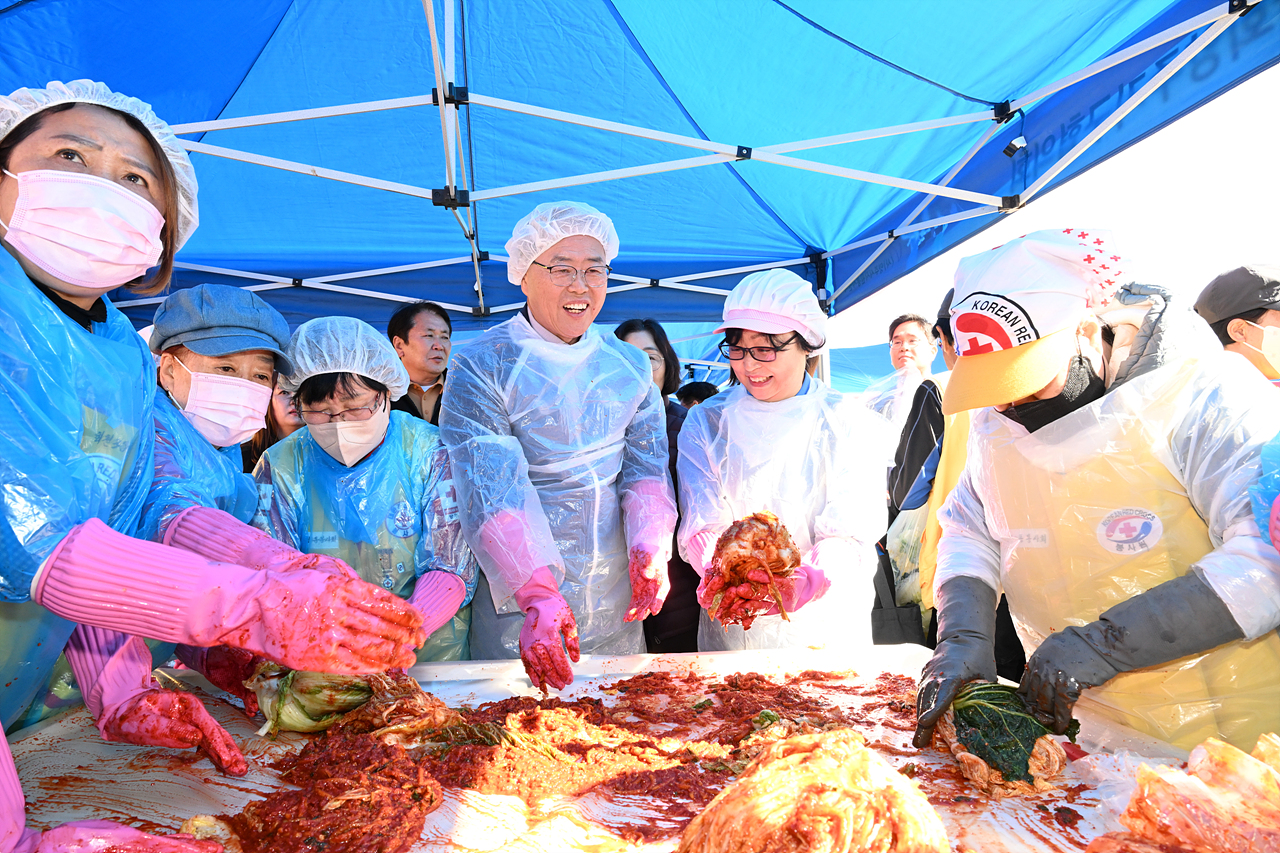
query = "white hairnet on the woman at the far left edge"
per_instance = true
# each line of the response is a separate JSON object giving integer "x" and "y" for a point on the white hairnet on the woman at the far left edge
{"x": 28, "y": 102}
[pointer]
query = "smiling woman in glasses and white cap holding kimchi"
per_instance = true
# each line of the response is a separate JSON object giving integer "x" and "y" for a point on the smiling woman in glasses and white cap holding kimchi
{"x": 785, "y": 443}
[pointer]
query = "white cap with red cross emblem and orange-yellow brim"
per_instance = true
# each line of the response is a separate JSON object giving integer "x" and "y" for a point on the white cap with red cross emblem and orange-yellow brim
{"x": 1017, "y": 308}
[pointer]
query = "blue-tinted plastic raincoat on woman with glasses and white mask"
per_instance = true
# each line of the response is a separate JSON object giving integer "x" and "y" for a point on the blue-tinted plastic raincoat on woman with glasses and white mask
{"x": 392, "y": 517}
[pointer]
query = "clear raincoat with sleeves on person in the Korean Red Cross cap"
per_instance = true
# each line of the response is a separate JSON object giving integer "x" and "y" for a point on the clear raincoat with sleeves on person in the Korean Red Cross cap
{"x": 1141, "y": 487}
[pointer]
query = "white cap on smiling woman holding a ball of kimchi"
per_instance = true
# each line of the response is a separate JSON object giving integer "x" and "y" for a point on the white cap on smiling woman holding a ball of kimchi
{"x": 776, "y": 302}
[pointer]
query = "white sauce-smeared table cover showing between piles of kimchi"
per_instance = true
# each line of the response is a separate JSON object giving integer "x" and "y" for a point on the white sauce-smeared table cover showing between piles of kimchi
{"x": 70, "y": 773}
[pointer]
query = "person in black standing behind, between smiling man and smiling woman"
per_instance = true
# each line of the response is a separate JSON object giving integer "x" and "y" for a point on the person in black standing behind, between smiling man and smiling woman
{"x": 675, "y": 630}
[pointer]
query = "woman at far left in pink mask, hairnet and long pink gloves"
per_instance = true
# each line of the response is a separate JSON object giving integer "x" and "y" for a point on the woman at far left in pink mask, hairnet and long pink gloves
{"x": 97, "y": 191}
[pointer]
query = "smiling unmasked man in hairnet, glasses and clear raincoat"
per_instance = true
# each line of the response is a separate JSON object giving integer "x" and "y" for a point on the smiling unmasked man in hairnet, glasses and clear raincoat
{"x": 559, "y": 441}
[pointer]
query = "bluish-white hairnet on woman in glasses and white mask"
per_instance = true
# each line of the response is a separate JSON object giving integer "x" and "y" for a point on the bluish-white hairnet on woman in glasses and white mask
{"x": 345, "y": 345}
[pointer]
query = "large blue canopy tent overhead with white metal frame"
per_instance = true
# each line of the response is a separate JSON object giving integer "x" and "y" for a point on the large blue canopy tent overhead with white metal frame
{"x": 848, "y": 142}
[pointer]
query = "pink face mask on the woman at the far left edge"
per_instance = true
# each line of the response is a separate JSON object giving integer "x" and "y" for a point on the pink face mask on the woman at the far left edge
{"x": 84, "y": 230}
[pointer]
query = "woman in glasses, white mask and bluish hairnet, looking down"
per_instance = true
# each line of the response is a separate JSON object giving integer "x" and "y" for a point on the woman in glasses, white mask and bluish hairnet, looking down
{"x": 367, "y": 485}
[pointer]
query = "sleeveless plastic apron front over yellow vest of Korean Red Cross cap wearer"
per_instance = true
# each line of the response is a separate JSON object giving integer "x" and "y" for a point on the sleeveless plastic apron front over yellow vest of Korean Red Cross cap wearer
{"x": 1084, "y": 531}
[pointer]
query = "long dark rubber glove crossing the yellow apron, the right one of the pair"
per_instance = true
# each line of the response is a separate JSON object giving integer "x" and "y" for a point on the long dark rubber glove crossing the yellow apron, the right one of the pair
{"x": 1169, "y": 622}
